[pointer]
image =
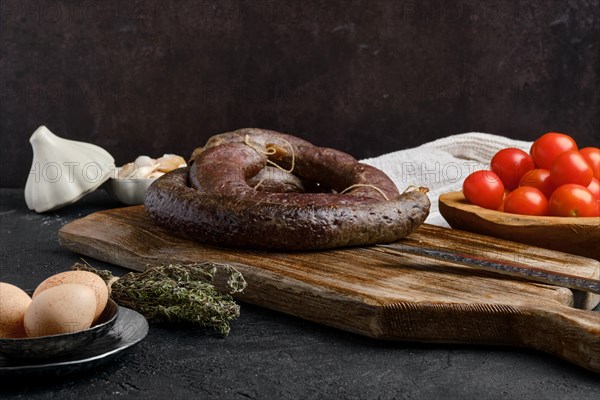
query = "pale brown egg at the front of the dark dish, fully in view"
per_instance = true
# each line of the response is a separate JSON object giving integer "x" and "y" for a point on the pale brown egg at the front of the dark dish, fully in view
{"x": 66, "y": 308}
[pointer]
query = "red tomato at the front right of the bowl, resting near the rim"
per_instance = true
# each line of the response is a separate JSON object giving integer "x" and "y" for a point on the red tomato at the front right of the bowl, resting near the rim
{"x": 573, "y": 200}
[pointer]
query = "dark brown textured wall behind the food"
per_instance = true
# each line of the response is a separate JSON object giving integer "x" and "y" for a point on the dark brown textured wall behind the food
{"x": 368, "y": 77}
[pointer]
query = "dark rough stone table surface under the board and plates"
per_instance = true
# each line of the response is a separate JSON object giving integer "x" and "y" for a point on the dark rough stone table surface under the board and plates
{"x": 268, "y": 355}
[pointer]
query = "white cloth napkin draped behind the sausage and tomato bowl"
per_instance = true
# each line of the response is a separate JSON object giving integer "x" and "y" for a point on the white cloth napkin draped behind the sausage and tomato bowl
{"x": 443, "y": 165}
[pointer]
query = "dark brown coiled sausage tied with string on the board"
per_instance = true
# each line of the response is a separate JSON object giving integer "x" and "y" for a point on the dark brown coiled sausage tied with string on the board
{"x": 211, "y": 201}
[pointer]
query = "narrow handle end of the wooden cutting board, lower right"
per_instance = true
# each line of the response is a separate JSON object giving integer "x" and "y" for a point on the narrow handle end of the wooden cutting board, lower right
{"x": 569, "y": 333}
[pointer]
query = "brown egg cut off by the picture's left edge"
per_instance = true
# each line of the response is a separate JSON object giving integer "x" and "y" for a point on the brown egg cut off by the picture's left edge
{"x": 13, "y": 304}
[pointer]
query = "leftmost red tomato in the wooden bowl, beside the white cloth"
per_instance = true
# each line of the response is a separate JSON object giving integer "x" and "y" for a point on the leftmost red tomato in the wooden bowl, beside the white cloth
{"x": 484, "y": 189}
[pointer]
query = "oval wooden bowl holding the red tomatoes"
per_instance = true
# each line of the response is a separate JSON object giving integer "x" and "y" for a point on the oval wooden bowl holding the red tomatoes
{"x": 579, "y": 235}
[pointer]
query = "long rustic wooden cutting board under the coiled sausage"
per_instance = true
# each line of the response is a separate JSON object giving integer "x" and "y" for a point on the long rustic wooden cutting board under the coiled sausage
{"x": 364, "y": 290}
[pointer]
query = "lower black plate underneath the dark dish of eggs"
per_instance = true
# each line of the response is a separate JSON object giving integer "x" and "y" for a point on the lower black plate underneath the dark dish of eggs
{"x": 130, "y": 328}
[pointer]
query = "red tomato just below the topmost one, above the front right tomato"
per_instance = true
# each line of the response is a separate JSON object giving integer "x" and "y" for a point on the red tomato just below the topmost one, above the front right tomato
{"x": 571, "y": 167}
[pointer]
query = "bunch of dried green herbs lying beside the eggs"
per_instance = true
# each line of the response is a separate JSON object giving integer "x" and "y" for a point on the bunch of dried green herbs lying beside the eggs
{"x": 177, "y": 294}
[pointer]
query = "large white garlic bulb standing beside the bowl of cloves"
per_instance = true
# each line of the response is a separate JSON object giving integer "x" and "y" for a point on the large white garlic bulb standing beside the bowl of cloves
{"x": 63, "y": 170}
